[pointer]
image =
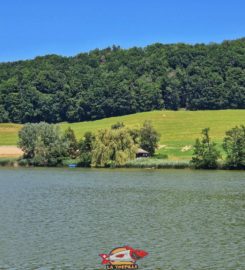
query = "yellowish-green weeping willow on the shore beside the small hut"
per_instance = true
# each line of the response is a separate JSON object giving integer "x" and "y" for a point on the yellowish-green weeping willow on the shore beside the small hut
{"x": 113, "y": 147}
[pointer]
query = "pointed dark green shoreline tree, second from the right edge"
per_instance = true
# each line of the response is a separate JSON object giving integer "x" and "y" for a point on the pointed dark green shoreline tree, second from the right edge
{"x": 205, "y": 155}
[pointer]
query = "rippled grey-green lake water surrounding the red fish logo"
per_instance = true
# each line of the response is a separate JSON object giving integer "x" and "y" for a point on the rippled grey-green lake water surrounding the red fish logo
{"x": 53, "y": 219}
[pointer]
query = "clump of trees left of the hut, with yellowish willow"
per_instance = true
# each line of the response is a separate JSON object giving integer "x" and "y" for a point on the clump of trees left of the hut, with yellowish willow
{"x": 44, "y": 145}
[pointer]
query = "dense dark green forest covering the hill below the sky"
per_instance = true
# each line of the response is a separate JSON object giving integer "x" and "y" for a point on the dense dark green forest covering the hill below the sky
{"x": 115, "y": 81}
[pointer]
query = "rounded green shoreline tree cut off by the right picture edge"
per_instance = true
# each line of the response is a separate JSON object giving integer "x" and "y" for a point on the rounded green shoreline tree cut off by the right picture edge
{"x": 234, "y": 146}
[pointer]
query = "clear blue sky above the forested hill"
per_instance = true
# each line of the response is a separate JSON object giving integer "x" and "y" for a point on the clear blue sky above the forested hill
{"x": 29, "y": 28}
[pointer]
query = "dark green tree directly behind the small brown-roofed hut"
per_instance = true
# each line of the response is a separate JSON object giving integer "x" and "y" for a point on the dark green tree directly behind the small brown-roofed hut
{"x": 149, "y": 137}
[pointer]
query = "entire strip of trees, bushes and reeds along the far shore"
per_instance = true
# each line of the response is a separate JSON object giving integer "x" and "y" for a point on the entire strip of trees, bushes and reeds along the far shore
{"x": 44, "y": 145}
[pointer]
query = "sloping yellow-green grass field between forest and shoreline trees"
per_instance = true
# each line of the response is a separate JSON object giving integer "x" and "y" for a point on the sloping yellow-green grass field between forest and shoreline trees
{"x": 178, "y": 129}
